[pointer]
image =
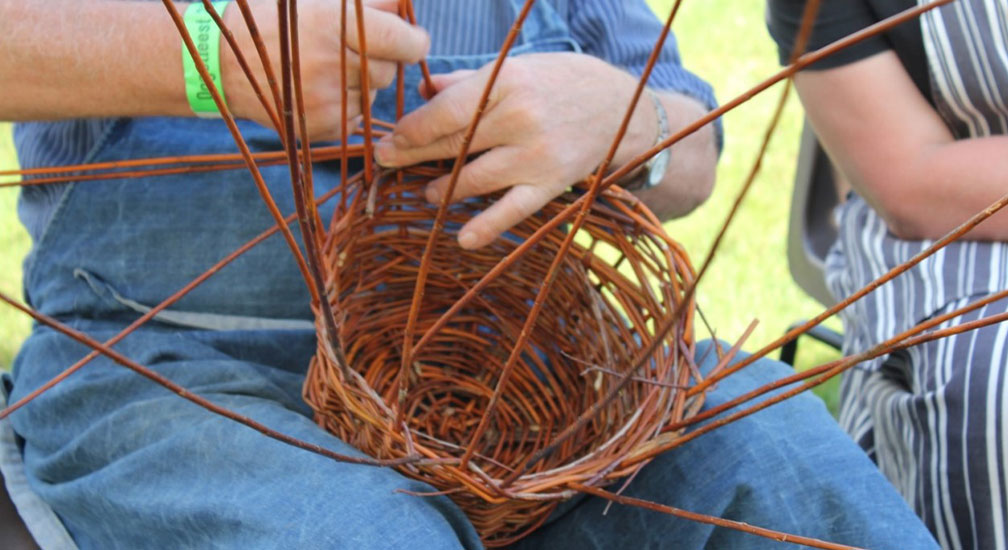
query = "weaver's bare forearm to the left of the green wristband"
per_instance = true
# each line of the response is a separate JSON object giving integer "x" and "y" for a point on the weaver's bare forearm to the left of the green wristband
{"x": 71, "y": 59}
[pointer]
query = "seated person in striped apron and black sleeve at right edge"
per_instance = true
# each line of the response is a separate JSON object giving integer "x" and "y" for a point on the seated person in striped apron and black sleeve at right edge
{"x": 916, "y": 120}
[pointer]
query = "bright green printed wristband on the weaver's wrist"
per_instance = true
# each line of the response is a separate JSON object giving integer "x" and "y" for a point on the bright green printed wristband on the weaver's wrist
{"x": 207, "y": 38}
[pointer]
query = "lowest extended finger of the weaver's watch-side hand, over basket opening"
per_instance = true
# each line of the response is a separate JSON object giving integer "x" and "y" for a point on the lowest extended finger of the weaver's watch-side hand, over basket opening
{"x": 519, "y": 204}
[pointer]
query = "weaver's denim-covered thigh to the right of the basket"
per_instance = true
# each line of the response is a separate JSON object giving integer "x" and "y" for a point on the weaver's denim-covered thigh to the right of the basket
{"x": 789, "y": 468}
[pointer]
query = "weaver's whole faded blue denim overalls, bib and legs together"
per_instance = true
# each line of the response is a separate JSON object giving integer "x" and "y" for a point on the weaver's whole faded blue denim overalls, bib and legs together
{"x": 127, "y": 464}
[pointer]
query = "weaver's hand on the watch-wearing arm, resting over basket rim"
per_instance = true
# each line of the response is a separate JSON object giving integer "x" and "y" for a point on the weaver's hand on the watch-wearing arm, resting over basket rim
{"x": 550, "y": 123}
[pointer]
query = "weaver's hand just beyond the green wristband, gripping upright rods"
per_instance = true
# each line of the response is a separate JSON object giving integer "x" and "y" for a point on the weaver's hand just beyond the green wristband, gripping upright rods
{"x": 390, "y": 41}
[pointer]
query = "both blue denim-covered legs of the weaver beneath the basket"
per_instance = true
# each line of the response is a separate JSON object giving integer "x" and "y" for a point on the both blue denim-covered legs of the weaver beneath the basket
{"x": 127, "y": 464}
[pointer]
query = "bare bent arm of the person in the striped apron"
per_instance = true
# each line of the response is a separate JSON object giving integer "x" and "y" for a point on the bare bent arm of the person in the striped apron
{"x": 898, "y": 153}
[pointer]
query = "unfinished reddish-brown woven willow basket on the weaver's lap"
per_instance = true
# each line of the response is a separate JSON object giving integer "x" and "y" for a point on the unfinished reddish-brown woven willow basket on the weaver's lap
{"x": 621, "y": 281}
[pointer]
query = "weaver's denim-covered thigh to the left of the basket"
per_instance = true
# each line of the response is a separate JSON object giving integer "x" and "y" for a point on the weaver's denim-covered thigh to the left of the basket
{"x": 128, "y": 464}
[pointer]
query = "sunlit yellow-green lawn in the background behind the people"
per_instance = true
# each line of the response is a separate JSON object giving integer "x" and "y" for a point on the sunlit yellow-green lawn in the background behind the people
{"x": 728, "y": 45}
